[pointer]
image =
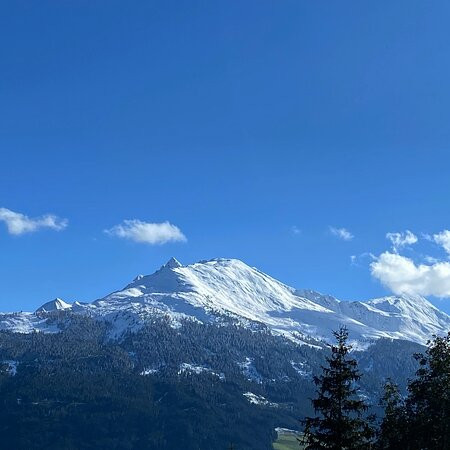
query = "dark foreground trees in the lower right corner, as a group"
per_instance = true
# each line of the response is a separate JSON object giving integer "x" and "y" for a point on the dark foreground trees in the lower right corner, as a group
{"x": 419, "y": 420}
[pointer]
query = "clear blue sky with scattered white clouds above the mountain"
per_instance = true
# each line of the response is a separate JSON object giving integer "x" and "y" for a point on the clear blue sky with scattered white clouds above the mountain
{"x": 255, "y": 128}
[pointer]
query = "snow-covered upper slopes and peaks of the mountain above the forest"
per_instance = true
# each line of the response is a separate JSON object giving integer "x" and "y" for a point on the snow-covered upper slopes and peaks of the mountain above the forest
{"x": 209, "y": 290}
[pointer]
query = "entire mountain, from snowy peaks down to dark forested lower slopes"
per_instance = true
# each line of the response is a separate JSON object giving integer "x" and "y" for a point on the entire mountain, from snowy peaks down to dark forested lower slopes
{"x": 192, "y": 357}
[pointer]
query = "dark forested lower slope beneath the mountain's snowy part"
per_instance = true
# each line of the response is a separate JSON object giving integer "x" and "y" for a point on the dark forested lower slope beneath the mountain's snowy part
{"x": 80, "y": 389}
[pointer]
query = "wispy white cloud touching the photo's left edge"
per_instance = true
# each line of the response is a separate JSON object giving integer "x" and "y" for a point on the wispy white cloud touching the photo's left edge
{"x": 18, "y": 223}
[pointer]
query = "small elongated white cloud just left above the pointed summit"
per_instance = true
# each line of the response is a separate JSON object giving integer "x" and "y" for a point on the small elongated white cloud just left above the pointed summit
{"x": 149, "y": 233}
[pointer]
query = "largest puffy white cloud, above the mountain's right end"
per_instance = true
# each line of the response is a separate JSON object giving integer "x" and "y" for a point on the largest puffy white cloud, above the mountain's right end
{"x": 402, "y": 276}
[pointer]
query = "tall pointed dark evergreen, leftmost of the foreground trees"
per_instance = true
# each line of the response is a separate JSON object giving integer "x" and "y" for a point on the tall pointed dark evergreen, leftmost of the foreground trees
{"x": 340, "y": 424}
